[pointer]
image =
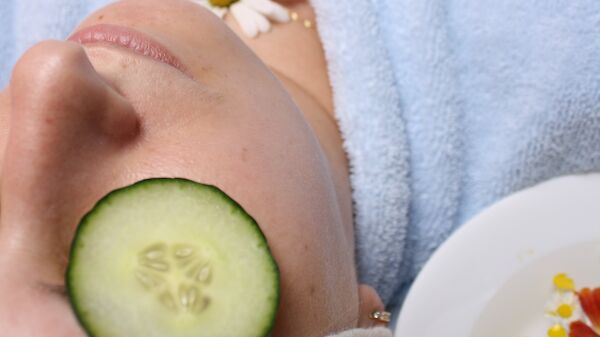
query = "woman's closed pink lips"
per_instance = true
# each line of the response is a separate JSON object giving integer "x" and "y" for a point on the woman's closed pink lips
{"x": 127, "y": 38}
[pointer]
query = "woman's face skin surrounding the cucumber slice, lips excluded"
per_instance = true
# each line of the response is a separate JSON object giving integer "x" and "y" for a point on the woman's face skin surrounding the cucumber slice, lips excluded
{"x": 77, "y": 122}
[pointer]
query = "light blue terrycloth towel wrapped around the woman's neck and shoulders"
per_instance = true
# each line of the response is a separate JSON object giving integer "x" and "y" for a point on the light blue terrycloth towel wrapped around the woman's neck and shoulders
{"x": 445, "y": 106}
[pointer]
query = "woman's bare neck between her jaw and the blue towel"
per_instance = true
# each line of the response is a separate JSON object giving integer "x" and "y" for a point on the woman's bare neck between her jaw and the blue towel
{"x": 295, "y": 55}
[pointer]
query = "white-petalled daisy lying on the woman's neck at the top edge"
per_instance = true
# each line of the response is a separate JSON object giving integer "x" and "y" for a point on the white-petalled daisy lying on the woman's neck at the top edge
{"x": 252, "y": 15}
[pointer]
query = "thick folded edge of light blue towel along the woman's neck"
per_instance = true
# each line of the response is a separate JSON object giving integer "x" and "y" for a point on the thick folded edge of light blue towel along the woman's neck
{"x": 367, "y": 105}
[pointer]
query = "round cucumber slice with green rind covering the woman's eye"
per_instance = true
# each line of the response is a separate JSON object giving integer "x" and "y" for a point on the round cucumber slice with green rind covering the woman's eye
{"x": 172, "y": 258}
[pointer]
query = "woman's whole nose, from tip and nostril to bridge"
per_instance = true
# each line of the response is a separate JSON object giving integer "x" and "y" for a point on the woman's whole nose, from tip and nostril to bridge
{"x": 66, "y": 123}
